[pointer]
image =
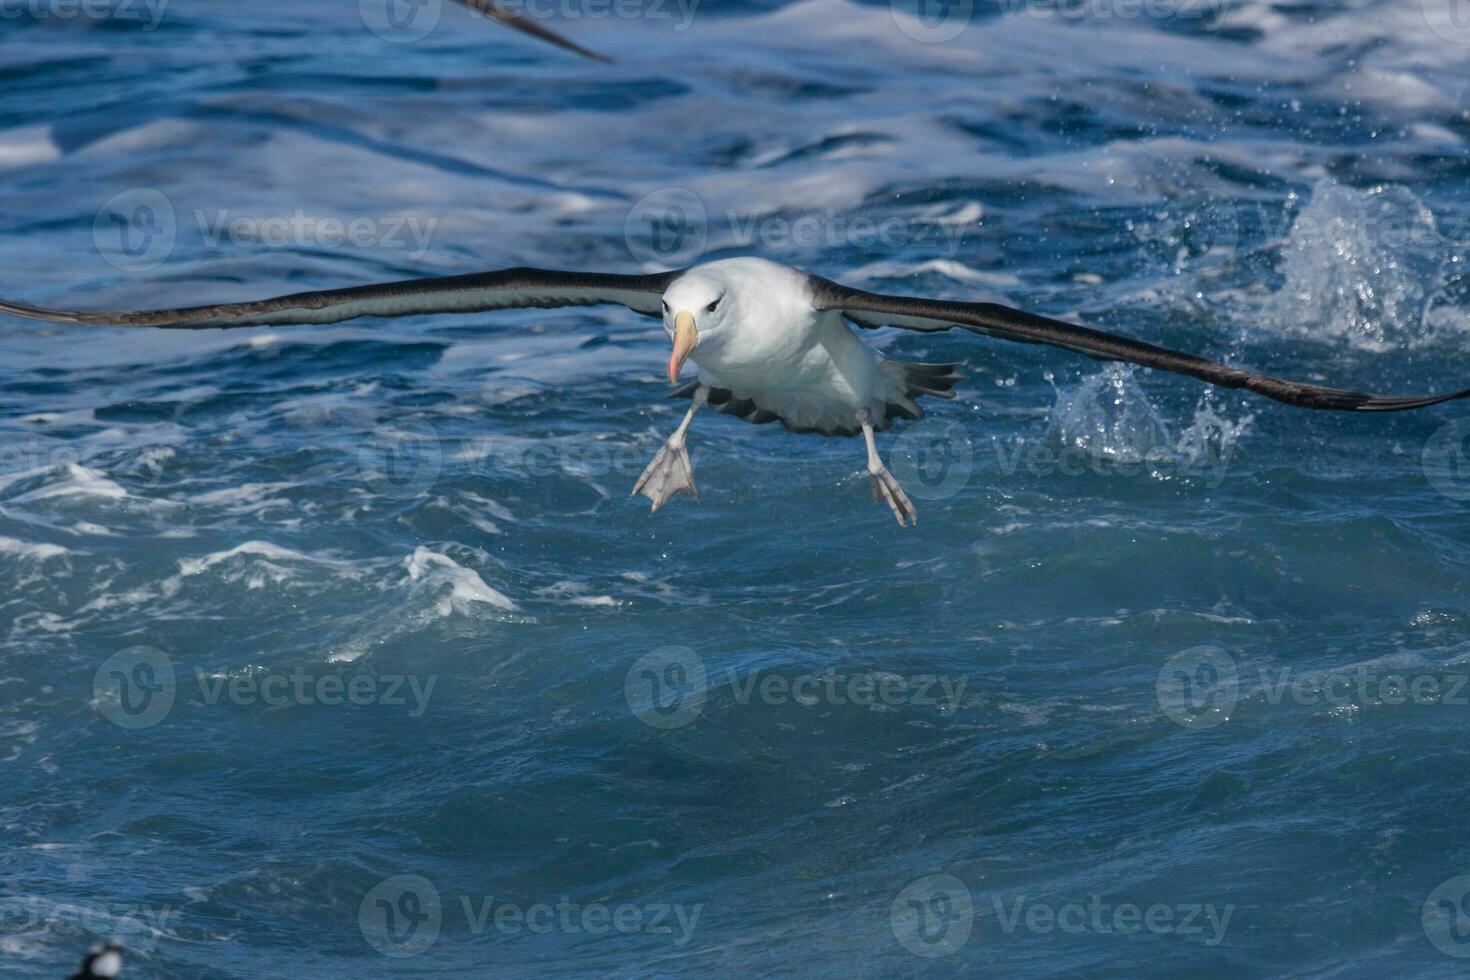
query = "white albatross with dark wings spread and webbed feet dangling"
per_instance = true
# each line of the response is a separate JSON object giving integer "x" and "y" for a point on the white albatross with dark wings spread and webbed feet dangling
{"x": 771, "y": 345}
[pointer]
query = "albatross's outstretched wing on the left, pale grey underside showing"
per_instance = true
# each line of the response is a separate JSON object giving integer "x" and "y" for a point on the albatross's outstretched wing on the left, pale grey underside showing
{"x": 505, "y": 290}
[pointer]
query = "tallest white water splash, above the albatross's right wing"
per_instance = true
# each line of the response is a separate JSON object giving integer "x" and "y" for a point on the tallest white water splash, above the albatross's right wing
{"x": 1360, "y": 267}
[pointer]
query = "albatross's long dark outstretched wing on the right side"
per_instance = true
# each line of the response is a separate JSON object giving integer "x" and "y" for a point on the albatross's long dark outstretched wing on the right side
{"x": 875, "y": 309}
